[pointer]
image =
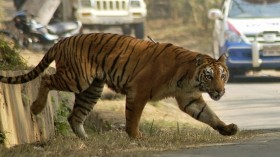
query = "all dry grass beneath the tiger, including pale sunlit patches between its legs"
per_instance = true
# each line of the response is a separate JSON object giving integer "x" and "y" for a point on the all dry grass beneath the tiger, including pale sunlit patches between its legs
{"x": 163, "y": 125}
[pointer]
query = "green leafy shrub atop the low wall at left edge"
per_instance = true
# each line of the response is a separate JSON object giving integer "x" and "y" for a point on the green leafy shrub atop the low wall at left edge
{"x": 10, "y": 58}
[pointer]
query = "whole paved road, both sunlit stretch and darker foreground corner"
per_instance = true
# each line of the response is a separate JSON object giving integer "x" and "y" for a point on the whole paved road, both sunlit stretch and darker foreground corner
{"x": 251, "y": 103}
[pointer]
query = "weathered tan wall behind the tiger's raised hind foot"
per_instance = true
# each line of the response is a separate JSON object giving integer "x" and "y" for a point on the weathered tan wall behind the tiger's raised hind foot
{"x": 16, "y": 120}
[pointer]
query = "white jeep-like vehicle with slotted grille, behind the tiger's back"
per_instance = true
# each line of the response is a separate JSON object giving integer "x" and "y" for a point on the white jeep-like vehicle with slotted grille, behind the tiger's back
{"x": 100, "y": 14}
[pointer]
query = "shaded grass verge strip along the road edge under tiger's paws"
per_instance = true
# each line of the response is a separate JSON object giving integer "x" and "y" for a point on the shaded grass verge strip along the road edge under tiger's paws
{"x": 117, "y": 143}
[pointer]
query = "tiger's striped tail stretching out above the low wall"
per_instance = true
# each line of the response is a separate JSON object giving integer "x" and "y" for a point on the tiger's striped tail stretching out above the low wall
{"x": 44, "y": 63}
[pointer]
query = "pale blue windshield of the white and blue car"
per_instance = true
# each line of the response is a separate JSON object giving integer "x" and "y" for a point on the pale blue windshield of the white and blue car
{"x": 254, "y": 8}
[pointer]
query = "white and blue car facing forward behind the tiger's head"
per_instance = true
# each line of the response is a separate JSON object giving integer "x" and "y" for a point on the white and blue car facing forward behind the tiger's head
{"x": 248, "y": 31}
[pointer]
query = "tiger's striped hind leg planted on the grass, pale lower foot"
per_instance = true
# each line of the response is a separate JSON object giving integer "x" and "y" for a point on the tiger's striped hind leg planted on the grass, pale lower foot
{"x": 84, "y": 102}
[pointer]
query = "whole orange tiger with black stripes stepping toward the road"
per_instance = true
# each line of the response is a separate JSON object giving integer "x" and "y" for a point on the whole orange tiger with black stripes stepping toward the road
{"x": 141, "y": 70}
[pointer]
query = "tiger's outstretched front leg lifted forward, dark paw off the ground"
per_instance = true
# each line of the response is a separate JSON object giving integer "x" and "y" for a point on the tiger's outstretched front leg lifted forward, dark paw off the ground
{"x": 198, "y": 109}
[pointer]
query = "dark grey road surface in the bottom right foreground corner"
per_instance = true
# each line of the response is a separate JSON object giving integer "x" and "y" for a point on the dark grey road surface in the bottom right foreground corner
{"x": 265, "y": 146}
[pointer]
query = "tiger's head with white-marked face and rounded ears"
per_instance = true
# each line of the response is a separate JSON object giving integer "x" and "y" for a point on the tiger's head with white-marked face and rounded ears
{"x": 212, "y": 75}
